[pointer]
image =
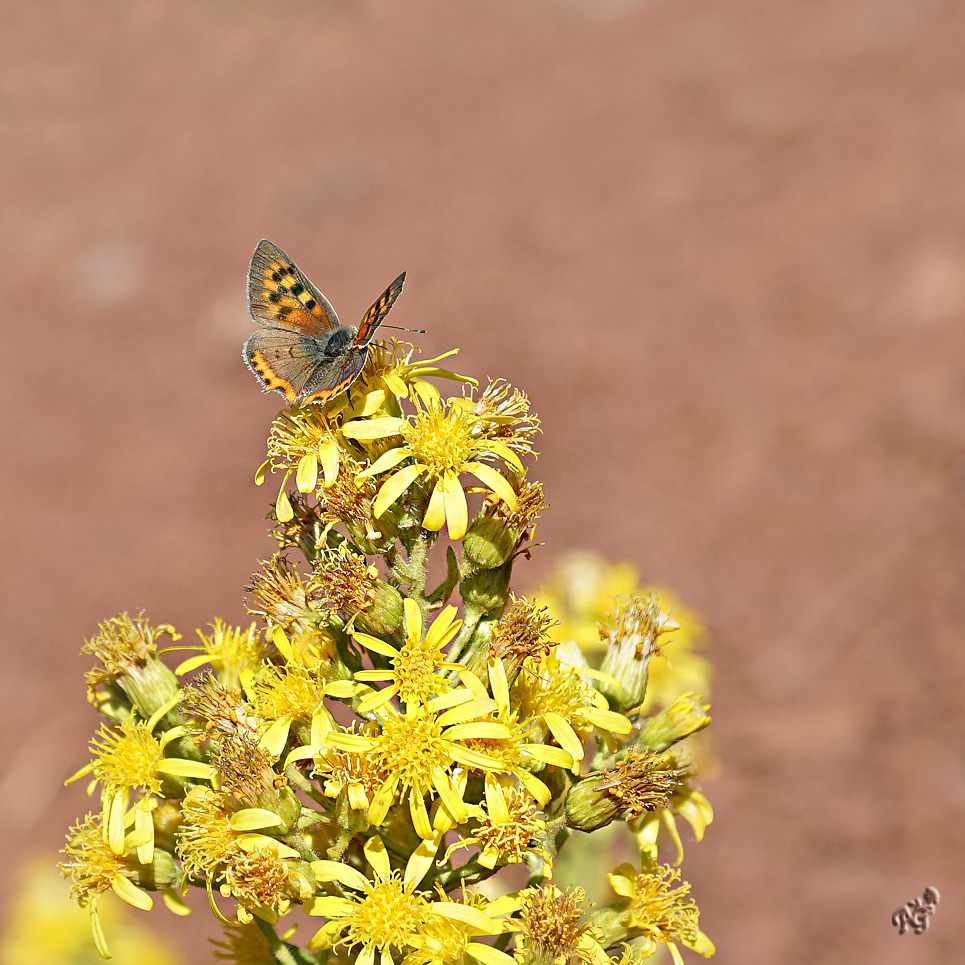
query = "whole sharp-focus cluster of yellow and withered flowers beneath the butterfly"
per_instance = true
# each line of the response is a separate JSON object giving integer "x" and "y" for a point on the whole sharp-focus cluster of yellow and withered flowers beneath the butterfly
{"x": 397, "y": 726}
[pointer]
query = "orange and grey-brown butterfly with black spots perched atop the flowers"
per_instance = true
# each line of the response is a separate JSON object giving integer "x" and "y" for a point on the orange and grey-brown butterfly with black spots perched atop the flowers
{"x": 302, "y": 350}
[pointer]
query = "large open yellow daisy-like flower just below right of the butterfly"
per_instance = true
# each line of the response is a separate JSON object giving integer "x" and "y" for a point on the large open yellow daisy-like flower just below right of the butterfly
{"x": 443, "y": 440}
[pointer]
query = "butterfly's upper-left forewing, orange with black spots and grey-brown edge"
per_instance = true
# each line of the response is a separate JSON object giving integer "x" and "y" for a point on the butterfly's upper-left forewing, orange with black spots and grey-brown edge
{"x": 279, "y": 294}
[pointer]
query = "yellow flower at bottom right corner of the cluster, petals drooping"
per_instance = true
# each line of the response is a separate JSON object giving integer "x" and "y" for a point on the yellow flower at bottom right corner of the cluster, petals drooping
{"x": 659, "y": 912}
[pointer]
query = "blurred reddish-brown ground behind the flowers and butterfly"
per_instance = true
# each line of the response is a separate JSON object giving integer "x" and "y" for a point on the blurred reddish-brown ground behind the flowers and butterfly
{"x": 722, "y": 246}
